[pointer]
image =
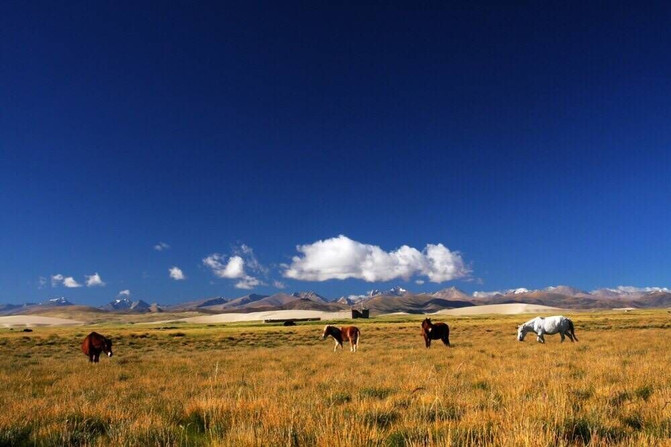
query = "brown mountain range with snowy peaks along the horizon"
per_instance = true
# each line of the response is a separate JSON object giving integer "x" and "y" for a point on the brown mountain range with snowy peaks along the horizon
{"x": 396, "y": 299}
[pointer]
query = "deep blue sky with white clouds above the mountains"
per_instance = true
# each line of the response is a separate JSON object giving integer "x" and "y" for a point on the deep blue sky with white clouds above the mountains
{"x": 335, "y": 148}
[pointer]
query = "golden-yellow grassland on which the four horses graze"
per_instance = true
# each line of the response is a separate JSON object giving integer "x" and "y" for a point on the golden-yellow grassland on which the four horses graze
{"x": 274, "y": 386}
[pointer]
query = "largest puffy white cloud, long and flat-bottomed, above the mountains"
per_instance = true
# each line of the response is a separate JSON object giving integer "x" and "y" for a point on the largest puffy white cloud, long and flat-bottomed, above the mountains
{"x": 343, "y": 258}
